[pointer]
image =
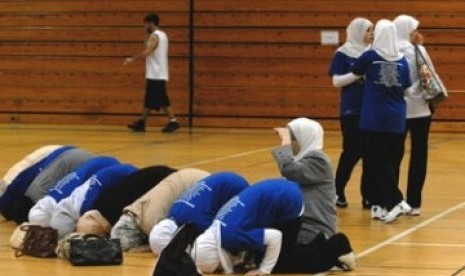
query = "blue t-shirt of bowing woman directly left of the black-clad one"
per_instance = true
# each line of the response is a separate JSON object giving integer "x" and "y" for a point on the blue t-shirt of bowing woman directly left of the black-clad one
{"x": 102, "y": 180}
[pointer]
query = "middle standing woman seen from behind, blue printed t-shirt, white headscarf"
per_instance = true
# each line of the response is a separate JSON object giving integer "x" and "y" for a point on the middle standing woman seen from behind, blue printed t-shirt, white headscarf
{"x": 383, "y": 118}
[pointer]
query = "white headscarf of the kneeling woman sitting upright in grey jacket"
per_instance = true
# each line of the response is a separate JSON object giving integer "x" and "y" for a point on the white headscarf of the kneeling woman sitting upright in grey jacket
{"x": 309, "y": 135}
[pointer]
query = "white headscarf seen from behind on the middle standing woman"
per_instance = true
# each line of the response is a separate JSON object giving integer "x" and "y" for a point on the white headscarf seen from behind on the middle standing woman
{"x": 386, "y": 43}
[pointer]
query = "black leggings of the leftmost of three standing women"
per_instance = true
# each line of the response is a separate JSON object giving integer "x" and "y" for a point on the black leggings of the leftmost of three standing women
{"x": 352, "y": 151}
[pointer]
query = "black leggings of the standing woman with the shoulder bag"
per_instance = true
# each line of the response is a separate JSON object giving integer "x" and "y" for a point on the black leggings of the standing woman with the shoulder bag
{"x": 419, "y": 134}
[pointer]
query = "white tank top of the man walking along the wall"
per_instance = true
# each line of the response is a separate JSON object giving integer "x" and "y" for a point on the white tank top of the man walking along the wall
{"x": 156, "y": 64}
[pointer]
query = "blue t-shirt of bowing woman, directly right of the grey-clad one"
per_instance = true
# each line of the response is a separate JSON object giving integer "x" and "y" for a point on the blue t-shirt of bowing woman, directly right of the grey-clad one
{"x": 71, "y": 181}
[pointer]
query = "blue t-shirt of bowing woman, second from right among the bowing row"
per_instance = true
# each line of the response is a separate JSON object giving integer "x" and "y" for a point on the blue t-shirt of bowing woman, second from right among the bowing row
{"x": 200, "y": 203}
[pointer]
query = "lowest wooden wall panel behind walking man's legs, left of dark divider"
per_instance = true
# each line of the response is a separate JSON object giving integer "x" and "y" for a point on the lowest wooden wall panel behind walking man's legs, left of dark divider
{"x": 92, "y": 100}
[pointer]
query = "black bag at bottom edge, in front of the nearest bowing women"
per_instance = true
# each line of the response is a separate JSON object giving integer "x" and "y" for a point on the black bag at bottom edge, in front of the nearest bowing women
{"x": 174, "y": 260}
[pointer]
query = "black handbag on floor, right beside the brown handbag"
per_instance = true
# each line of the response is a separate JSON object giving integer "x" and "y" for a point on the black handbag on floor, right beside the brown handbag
{"x": 95, "y": 250}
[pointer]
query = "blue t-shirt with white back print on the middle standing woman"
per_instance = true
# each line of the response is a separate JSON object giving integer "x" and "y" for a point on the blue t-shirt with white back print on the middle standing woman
{"x": 383, "y": 106}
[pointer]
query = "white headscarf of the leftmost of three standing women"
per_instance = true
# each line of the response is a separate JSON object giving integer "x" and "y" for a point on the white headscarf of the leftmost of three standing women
{"x": 354, "y": 45}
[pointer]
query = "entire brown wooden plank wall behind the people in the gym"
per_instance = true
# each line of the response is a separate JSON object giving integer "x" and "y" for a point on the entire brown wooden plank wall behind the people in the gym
{"x": 253, "y": 60}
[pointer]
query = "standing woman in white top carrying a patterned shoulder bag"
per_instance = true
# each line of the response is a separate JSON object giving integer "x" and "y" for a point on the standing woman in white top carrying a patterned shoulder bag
{"x": 418, "y": 111}
